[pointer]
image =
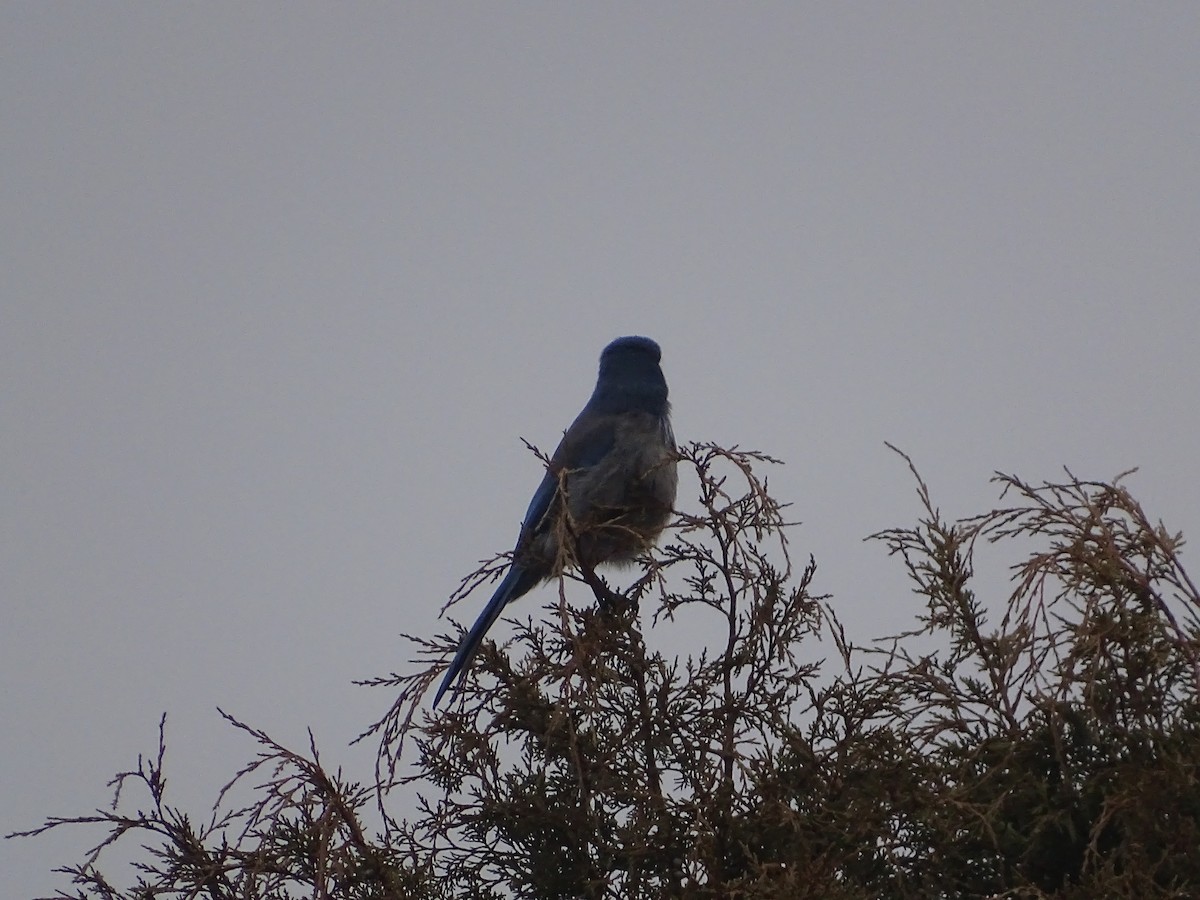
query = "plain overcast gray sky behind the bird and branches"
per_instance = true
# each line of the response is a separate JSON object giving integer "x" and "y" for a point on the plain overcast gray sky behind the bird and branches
{"x": 284, "y": 286}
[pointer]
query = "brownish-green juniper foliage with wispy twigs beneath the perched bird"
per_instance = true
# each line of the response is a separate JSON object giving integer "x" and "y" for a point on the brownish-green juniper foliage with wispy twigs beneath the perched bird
{"x": 1052, "y": 755}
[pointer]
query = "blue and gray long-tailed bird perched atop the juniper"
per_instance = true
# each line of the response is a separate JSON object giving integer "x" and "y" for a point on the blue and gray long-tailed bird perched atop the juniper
{"x": 609, "y": 489}
